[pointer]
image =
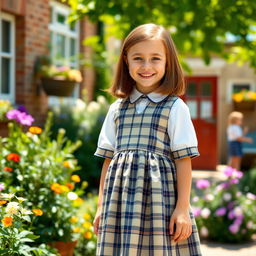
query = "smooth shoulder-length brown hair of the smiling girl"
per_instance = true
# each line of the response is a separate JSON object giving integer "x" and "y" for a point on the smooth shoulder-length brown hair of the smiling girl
{"x": 173, "y": 81}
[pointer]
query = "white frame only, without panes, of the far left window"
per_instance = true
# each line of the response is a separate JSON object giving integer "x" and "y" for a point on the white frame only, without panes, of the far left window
{"x": 11, "y": 56}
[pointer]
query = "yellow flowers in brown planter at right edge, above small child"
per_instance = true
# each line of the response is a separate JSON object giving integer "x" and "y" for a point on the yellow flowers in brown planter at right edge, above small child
{"x": 244, "y": 100}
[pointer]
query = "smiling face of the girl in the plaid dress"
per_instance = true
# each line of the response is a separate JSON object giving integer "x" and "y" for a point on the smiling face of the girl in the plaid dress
{"x": 146, "y": 62}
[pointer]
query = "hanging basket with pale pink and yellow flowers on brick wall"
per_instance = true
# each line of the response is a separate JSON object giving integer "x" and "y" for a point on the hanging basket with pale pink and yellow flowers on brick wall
{"x": 57, "y": 80}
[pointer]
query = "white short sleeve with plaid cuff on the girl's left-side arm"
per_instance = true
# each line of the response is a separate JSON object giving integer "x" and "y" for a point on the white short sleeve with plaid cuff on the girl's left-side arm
{"x": 106, "y": 141}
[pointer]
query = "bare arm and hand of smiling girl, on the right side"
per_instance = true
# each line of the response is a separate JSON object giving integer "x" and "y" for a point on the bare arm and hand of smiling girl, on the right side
{"x": 180, "y": 217}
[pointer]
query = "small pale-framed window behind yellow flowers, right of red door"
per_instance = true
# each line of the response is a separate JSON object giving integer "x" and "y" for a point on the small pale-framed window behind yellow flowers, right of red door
{"x": 238, "y": 85}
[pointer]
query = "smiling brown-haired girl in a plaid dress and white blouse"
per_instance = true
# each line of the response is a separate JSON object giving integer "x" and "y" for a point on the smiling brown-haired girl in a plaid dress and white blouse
{"x": 147, "y": 140}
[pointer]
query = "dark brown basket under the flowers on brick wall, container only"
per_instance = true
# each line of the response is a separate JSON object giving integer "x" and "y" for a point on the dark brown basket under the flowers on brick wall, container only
{"x": 58, "y": 87}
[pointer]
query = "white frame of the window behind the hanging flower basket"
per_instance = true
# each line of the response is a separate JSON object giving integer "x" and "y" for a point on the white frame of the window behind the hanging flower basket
{"x": 56, "y": 27}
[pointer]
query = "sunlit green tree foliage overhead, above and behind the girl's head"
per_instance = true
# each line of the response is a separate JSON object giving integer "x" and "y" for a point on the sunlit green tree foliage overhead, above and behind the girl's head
{"x": 198, "y": 27}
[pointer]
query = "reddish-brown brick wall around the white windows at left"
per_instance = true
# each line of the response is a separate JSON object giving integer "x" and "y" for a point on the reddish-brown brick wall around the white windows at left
{"x": 32, "y": 37}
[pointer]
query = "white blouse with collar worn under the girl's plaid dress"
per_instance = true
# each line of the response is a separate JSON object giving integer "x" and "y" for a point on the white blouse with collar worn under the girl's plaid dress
{"x": 180, "y": 127}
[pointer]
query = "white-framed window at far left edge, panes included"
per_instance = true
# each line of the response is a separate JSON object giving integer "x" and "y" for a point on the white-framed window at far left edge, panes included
{"x": 7, "y": 57}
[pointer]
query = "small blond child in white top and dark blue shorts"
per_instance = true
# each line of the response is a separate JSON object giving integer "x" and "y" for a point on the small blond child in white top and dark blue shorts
{"x": 235, "y": 138}
